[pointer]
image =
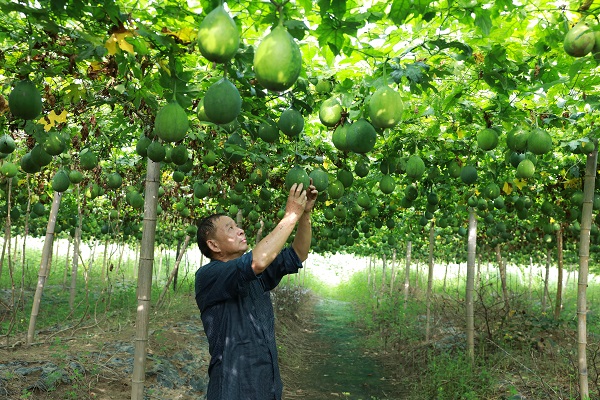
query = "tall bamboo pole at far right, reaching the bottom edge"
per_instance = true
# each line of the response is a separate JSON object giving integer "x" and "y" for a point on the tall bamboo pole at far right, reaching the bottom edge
{"x": 584, "y": 258}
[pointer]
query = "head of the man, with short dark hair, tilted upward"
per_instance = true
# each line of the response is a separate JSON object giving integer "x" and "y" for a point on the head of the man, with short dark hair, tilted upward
{"x": 220, "y": 238}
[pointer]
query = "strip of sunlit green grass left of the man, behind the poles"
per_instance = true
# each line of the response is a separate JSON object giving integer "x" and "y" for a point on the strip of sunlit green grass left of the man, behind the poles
{"x": 97, "y": 299}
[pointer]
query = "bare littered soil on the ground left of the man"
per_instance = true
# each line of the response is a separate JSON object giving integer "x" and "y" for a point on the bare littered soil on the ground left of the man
{"x": 95, "y": 360}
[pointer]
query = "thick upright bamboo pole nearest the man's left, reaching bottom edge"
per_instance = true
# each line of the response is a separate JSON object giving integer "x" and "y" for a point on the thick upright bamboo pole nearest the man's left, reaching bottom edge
{"x": 144, "y": 288}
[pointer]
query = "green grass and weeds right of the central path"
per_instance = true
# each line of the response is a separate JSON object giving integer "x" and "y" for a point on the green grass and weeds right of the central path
{"x": 521, "y": 351}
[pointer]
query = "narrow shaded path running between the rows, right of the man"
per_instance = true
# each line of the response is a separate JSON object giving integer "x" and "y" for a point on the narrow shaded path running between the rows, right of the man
{"x": 334, "y": 365}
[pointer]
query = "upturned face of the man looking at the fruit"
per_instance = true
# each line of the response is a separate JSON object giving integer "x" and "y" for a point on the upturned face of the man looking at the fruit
{"x": 229, "y": 240}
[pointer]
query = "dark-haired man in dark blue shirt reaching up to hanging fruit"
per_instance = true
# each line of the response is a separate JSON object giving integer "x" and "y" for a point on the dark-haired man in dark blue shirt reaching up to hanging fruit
{"x": 233, "y": 295}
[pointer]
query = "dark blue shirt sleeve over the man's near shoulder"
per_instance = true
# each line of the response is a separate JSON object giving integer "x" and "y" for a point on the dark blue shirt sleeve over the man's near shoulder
{"x": 220, "y": 281}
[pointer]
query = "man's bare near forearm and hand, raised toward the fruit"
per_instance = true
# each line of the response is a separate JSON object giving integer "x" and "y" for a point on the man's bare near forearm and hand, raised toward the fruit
{"x": 269, "y": 247}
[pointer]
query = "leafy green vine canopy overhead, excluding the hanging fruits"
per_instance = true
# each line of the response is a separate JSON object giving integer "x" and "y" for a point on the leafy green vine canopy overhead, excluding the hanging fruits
{"x": 104, "y": 70}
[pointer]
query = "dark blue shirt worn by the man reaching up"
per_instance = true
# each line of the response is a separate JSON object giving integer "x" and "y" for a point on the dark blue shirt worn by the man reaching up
{"x": 237, "y": 314}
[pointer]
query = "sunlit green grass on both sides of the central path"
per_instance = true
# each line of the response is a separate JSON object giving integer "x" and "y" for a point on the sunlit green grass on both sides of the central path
{"x": 521, "y": 351}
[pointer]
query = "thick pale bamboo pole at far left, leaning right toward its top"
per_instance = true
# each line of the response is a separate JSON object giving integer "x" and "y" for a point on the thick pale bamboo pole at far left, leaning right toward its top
{"x": 43, "y": 271}
